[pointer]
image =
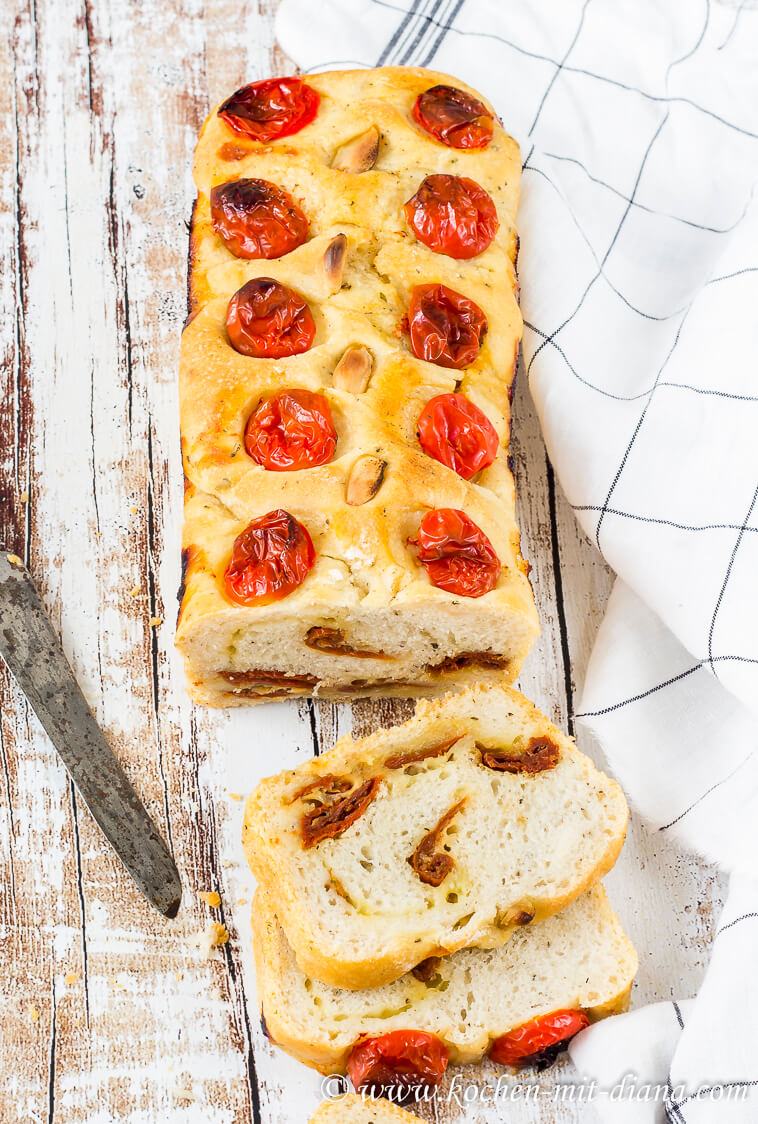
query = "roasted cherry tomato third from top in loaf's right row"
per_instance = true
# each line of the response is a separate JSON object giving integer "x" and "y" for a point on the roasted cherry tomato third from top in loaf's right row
{"x": 446, "y": 329}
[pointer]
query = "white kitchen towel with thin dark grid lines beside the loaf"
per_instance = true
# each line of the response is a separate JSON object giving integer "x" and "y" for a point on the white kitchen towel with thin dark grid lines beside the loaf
{"x": 639, "y": 269}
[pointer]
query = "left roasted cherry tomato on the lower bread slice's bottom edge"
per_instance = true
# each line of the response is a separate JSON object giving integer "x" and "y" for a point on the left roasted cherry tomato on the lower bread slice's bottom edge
{"x": 399, "y": 1062}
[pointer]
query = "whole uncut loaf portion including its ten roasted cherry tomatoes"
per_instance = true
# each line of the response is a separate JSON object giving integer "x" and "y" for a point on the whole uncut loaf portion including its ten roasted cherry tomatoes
{"x": 346, "y": 378}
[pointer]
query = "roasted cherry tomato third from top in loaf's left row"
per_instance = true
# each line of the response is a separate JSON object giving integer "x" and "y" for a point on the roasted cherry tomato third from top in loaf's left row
{"x": 268, "y": 321}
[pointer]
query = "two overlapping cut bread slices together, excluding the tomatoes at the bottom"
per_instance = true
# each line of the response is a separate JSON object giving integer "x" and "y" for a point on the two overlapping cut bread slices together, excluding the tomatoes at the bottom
{"x": 438, "y": 877}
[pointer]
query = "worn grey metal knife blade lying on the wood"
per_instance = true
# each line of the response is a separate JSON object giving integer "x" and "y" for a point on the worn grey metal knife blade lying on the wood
{"x": 35, "y": 658}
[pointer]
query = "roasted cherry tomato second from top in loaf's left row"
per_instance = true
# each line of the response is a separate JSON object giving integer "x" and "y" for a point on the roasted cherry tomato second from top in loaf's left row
{"x": 257, "y": 219}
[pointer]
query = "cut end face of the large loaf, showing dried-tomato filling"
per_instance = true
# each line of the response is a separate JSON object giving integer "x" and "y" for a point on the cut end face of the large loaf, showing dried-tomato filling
{"x": 351, "y": 655}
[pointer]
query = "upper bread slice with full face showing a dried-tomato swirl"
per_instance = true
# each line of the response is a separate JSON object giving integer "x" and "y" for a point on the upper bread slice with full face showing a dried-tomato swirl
{"x": 475, "y": 818}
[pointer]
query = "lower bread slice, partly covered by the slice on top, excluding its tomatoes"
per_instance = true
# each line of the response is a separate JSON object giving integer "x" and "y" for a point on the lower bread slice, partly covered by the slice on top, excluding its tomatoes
{"x": 580, "y": 959}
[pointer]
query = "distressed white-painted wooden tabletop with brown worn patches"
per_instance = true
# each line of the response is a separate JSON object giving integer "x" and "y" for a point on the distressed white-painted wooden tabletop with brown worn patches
{"x": 111, "y": 1013}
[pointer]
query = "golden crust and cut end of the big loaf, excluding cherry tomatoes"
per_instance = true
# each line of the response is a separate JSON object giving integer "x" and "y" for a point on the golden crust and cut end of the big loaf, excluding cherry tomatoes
{"x": 366, "y": 620}
